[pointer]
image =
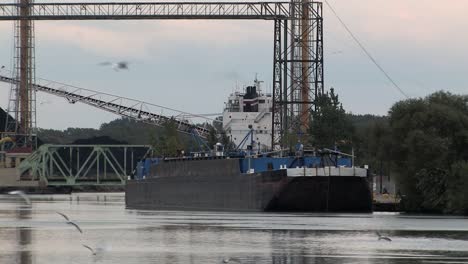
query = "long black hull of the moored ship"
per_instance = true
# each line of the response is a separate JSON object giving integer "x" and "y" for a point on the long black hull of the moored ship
{"x": 220, "y": 186}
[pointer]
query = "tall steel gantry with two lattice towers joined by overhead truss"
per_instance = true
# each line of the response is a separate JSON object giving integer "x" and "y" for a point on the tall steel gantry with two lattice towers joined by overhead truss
{"x": 297, "y": 60}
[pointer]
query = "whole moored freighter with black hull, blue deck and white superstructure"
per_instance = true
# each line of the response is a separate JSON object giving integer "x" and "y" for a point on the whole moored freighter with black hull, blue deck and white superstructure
{"x": 251, "y": 180}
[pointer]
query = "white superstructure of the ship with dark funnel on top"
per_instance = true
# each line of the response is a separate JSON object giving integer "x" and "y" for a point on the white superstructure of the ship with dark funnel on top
{"x": 250, "y": 108}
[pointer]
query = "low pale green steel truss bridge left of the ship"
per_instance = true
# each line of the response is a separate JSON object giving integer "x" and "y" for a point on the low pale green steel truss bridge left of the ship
{"x": 67, "y": 165}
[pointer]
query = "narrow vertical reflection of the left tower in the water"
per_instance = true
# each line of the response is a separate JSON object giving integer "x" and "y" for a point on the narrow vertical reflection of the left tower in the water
{"x": 24, "y": 236}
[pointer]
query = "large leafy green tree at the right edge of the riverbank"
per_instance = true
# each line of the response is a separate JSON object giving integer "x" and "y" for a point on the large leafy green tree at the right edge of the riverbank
{"x": 429, "y": 150}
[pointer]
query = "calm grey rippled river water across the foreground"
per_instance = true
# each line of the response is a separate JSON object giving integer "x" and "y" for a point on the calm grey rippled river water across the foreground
{"x": 39, "y": 235}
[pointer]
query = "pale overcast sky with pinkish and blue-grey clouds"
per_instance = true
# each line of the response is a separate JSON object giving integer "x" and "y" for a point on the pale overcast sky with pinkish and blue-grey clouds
{"x": 194, "y": 65}
